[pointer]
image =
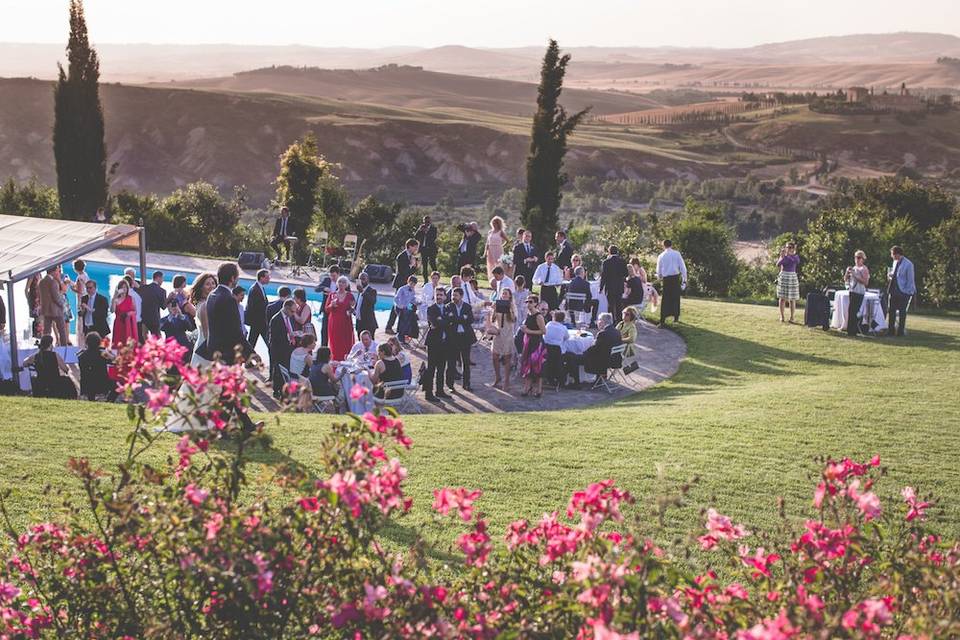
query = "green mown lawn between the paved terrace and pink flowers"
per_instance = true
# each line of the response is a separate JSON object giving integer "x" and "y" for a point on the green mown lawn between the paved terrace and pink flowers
{"x": 751, "y": 407}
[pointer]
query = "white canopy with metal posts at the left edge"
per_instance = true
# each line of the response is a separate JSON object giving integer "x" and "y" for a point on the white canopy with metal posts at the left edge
{"x": 31, "y": 245}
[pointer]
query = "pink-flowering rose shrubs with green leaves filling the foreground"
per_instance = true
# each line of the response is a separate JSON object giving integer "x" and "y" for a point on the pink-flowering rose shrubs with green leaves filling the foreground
{"x": 172, "y": 551}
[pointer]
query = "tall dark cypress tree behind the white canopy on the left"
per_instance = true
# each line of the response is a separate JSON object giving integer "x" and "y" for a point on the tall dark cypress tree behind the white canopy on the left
{"x": 78, "y": 145}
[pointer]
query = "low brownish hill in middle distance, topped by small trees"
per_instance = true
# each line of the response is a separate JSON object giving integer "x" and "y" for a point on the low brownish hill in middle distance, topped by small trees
{"x": 414, "y": 88}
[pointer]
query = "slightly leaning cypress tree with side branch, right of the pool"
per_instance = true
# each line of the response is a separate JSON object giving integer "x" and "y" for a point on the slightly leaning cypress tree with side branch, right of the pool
{"x": 548, "y": 145}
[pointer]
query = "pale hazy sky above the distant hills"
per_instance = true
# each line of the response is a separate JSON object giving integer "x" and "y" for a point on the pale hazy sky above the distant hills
{"x": 491, "y": 23}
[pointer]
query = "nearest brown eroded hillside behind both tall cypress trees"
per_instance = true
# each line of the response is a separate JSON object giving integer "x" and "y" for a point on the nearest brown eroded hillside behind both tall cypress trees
{"x": 164, "y": 138}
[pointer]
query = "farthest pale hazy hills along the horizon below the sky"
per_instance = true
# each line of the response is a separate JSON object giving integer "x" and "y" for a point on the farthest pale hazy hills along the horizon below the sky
{"x": 160, "y": 63}
